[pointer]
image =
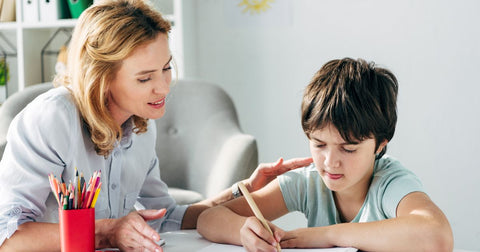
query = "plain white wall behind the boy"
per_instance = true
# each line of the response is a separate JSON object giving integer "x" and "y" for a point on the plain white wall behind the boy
{"x": 433, "y": 47}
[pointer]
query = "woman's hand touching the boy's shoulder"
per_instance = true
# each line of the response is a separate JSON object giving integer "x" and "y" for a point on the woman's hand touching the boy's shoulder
{"x": 266, "y": 172}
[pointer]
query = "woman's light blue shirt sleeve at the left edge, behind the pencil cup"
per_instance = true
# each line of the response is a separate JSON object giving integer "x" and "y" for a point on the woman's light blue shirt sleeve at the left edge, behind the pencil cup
{"x": 36, "y": 141}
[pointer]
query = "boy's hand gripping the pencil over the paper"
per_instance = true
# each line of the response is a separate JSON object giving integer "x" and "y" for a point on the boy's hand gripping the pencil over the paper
{"x": 255, "y": 237}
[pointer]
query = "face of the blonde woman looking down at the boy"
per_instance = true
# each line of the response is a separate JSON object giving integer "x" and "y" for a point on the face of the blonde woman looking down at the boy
{"x": 142, "y": 82}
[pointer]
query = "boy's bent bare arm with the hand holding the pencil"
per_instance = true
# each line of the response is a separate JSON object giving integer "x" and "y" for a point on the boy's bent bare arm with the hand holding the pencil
{"x": 223, "y": 223}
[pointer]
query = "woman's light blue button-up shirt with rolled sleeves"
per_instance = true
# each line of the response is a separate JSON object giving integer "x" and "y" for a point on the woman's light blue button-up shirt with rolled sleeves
{"x": 49, "y": 136}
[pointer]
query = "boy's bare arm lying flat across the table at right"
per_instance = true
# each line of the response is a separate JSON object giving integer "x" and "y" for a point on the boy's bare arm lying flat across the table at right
{"x": 419, "y": 226}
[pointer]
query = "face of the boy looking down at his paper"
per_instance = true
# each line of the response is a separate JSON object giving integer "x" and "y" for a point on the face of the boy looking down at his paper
{"x": 344, "y": 167}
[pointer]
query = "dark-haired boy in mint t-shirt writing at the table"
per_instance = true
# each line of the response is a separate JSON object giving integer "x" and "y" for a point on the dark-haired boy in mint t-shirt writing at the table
{"x": 352, "y": 195}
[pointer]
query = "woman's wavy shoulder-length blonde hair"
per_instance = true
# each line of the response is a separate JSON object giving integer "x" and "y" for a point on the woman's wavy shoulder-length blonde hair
{"x": 106, "y": 33}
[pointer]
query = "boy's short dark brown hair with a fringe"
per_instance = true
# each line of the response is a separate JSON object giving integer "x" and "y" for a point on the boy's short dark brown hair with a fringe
{"x": 356, "y": 97}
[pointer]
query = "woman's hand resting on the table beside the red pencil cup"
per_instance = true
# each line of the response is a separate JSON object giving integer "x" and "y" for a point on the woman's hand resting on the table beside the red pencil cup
{"x": 132, "y": 233}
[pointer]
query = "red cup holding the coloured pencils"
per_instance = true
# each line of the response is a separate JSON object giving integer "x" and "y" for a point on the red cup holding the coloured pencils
{"x": 77, "y": 230}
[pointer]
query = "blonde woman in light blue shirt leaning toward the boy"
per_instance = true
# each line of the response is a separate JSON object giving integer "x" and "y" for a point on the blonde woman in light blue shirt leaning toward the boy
{"x": 118, "y": 75}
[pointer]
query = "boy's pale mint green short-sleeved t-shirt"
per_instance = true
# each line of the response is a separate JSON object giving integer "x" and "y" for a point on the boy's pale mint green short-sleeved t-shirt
{"x": 303, "y": 190}
